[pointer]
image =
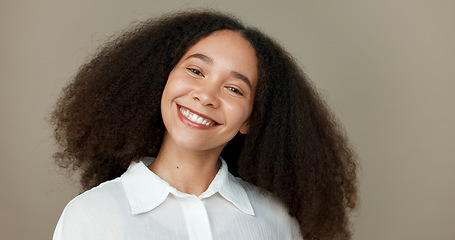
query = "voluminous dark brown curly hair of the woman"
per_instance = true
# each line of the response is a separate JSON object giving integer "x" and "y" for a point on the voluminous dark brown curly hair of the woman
{"x": 109, "y": 115}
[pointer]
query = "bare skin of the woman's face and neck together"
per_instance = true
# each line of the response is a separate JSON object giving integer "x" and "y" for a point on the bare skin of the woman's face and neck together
{"x": 215, "y": 79}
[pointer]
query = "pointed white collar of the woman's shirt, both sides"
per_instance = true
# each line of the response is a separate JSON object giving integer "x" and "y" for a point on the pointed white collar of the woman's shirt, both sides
{"x": 146, "y": 191}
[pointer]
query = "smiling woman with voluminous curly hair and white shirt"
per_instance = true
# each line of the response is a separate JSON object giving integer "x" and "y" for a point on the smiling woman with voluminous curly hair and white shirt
{"x": 155, "y": 118}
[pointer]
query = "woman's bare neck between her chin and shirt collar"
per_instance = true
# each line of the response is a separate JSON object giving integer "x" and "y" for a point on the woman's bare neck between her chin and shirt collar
{"x": 188, "y": 171}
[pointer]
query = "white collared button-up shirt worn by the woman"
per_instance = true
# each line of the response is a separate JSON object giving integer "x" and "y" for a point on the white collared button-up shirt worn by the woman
{"x": 140, "y": 205}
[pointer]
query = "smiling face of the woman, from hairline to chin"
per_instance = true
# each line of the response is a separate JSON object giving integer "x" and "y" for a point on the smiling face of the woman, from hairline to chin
{"x": 209, "y": 95}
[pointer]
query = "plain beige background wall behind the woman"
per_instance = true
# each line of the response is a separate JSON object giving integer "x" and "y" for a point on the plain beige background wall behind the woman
{"x": 387, "y": 68}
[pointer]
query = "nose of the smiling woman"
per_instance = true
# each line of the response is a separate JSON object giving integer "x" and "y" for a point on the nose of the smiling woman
{"x": 207, "y": 94}
